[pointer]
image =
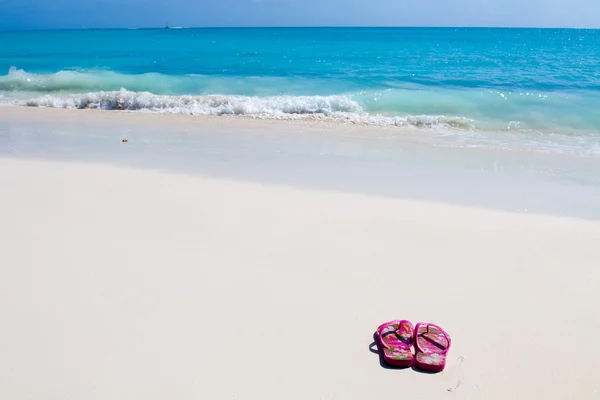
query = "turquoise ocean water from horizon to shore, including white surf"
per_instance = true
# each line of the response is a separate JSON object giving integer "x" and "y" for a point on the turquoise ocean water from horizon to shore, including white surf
{"x": 541, "y": 83}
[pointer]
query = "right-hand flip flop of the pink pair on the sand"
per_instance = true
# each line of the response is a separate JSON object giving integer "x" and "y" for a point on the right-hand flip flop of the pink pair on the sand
{"x": 431, "y": 346}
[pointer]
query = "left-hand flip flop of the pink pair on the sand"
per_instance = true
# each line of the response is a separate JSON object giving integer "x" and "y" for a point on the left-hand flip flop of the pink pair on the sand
{"x": 395, "y": 338}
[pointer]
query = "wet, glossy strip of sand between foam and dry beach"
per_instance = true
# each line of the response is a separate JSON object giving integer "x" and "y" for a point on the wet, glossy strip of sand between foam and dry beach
{"x": 392, "y": 162}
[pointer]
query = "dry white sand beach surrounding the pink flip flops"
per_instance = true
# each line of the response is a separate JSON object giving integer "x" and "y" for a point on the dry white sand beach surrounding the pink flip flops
{"x": 121, "y": 282}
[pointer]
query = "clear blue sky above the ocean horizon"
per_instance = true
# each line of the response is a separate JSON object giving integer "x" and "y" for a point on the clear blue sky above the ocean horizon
{"x": 51, "y": 14}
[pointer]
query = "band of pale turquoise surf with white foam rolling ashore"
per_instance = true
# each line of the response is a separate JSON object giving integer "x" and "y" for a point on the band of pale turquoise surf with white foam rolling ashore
{"x": 291, "y": 97}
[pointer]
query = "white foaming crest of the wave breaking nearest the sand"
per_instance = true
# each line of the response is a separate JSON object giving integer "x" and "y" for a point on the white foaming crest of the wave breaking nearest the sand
{"x": 336, "y": 107}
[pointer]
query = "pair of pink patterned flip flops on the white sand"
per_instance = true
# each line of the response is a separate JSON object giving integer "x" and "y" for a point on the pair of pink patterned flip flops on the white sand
{"x": 431, "y": 345}
